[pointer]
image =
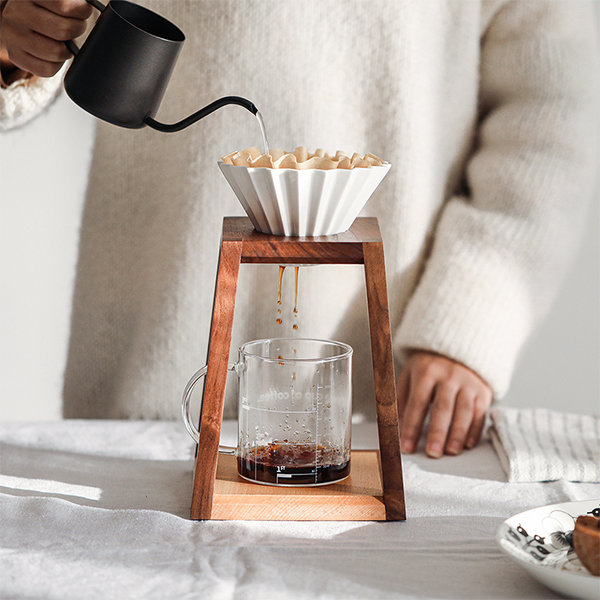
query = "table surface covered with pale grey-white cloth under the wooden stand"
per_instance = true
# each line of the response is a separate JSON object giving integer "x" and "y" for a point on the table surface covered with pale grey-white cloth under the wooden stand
{"x": 98, "y": 509}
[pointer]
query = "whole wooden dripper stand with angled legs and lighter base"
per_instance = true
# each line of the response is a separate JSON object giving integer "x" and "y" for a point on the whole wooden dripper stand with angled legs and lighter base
{"x": 374, "y": 490}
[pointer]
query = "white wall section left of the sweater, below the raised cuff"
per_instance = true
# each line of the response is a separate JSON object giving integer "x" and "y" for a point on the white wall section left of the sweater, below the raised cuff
{"x": 43, "y": 174}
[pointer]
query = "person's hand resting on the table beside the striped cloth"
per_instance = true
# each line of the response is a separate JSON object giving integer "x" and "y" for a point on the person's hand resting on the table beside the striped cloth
{"x": 456, "y": 397}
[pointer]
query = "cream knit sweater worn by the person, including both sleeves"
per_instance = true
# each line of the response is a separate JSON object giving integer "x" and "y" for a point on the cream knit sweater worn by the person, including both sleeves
{"x": 486, "y": 111}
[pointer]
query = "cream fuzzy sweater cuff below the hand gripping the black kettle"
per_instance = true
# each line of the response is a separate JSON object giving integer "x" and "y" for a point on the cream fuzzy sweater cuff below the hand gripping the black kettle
{"x": 25, "y": 99}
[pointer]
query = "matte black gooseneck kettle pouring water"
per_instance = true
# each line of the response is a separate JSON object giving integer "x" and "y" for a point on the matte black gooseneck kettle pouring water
{"x": 121, "y": 72}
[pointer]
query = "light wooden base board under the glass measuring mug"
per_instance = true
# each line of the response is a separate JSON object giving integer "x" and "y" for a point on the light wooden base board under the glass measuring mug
{"x": 357, "y": 498}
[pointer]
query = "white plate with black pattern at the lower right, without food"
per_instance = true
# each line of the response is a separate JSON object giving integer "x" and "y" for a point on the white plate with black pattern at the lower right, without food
{"x": 540, "y": 540}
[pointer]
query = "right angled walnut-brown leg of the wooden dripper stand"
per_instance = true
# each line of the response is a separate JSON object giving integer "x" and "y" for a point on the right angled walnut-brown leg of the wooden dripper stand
{"x": 385, "y": 382}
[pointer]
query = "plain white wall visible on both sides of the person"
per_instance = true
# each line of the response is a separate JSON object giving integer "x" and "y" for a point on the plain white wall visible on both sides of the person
{"x": 43, "y": 172}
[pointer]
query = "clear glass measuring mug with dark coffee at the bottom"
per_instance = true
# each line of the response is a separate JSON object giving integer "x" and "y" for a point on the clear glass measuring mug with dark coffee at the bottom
{"x": 294, "y": 411}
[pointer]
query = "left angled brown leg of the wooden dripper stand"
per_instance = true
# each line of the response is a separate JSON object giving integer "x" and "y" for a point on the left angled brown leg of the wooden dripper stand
{"x": 216, "y": 378}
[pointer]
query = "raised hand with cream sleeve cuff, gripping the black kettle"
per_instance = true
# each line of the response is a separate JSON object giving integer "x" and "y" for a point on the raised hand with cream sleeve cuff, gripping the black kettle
{"x": 32, "y": 52}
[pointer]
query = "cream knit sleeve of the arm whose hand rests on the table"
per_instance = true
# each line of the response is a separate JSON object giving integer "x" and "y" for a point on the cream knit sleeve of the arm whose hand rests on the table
{"x": 500, "y": 249}
